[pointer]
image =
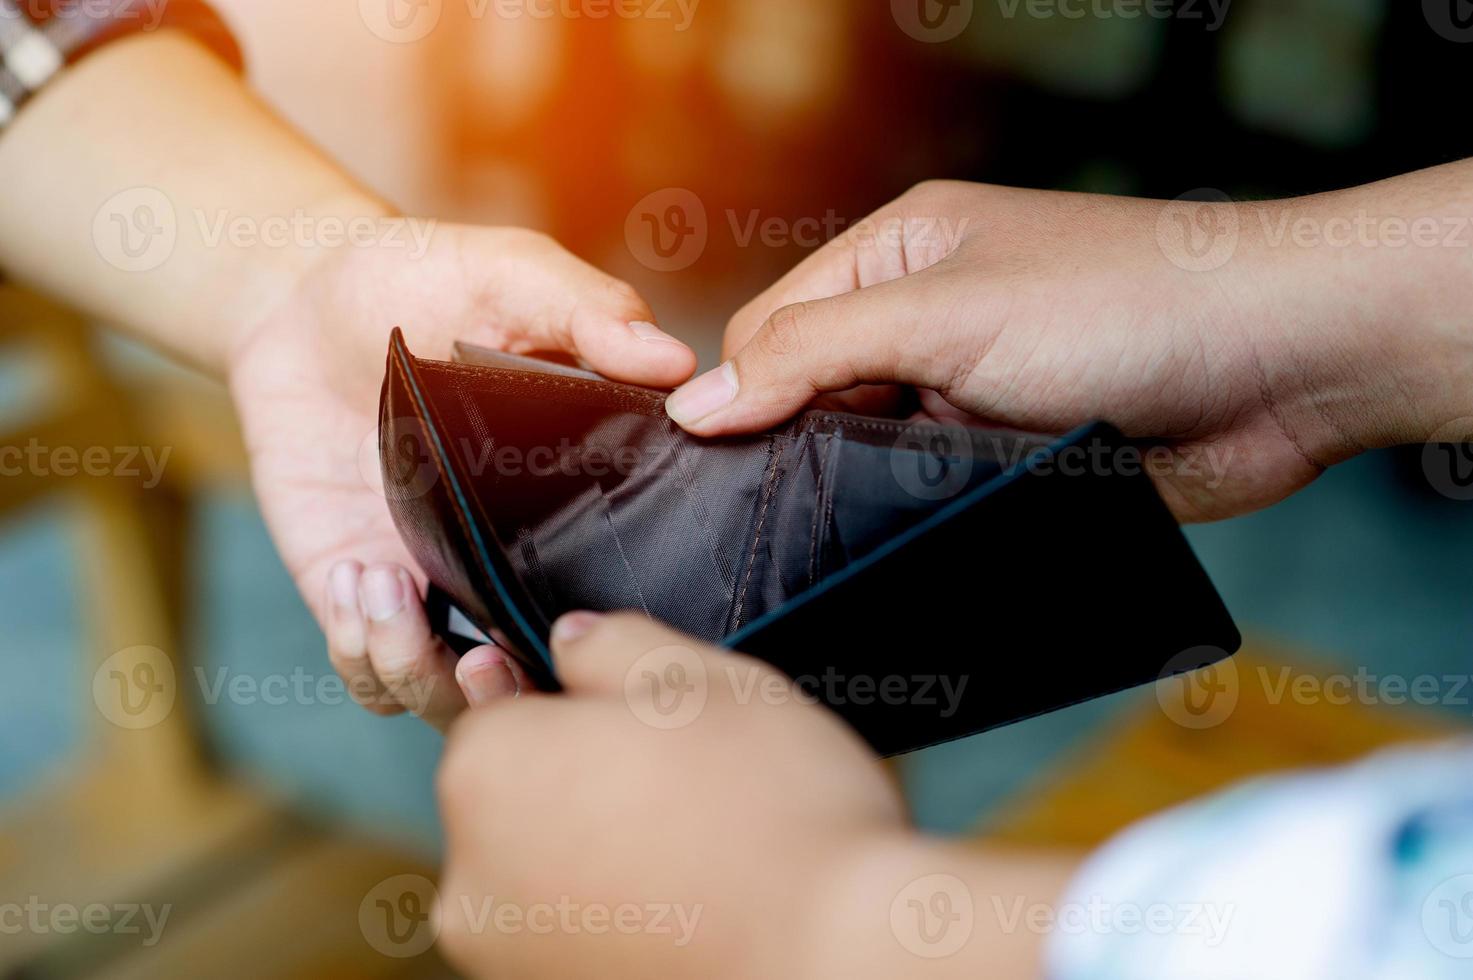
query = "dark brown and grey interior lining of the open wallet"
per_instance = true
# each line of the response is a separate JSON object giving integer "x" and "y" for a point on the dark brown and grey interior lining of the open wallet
{"x": 705, "y": 536}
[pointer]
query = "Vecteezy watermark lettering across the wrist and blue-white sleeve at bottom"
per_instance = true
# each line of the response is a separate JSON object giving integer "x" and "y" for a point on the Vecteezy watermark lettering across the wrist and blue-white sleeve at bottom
{"x": 1098, "y": 917}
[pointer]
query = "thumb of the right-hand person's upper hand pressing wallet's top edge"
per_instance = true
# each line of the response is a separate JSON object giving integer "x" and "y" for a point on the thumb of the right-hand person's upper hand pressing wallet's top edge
{"x": 873, "y": 335}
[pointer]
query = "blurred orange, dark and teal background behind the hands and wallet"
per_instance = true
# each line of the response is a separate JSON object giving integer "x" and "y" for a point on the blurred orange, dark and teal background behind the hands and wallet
{"x": 260, "y": 810}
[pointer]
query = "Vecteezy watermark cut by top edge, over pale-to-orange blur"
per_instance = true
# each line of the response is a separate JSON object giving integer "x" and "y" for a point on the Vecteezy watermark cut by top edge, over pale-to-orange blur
{"x": 410, "y": 21}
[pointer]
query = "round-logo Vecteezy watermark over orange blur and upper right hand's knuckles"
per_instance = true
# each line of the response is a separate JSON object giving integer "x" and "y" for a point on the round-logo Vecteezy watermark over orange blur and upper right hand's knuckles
{"x": 669, "y": 231}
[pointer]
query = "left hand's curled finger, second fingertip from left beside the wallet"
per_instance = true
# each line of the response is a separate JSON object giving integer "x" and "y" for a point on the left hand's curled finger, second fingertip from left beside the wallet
{"x": 410, "y": 661}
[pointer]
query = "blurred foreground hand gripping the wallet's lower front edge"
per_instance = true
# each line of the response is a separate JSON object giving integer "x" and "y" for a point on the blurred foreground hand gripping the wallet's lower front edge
{"x": 731, "y": 825}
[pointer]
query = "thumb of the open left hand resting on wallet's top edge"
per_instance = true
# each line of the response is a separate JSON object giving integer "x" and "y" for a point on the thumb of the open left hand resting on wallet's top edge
{"x": 597, "y": 318}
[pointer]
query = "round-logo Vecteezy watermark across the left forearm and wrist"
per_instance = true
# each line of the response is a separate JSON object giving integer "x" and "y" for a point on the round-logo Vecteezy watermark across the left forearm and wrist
{"x": 139, "y": 229}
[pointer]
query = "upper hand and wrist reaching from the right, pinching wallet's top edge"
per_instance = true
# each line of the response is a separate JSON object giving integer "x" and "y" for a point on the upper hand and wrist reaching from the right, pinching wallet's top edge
{"x": 1047, "y": 310}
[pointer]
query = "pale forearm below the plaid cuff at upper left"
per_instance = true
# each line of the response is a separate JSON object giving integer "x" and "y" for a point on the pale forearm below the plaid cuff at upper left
{"x": 157, "y": 122}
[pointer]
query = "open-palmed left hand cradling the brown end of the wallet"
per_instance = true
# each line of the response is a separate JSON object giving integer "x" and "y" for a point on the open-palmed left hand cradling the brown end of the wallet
{"x": 307, "y": 388}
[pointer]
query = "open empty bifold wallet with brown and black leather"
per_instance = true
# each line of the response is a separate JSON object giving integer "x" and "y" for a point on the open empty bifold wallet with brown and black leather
{"x": 927, "y": 580}
